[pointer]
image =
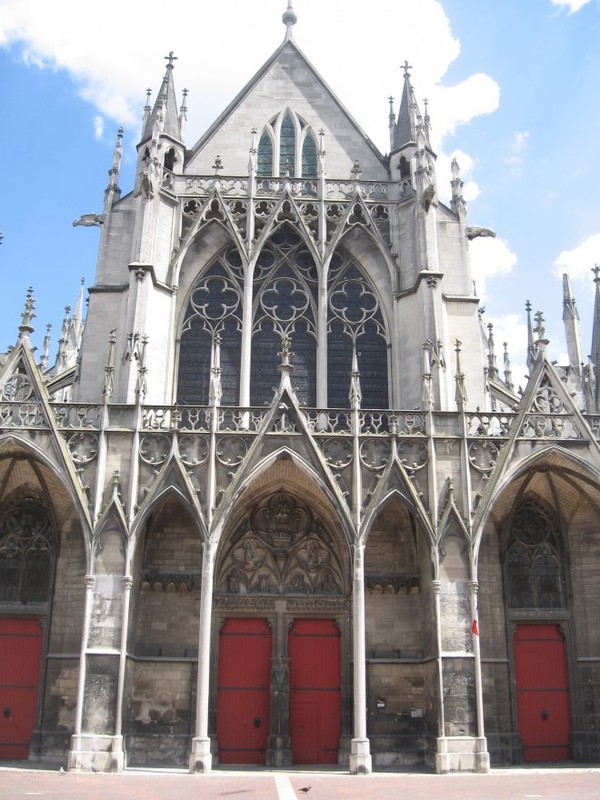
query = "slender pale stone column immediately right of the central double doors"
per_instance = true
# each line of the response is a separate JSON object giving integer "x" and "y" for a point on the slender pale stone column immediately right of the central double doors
{"x": 360, "y": 753}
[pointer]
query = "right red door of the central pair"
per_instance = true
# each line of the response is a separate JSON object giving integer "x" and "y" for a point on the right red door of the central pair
{"x": 315, "y": 712}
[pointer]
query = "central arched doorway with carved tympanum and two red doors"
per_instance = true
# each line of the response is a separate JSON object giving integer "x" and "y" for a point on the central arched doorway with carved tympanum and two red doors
{"x": 281, "y": 632}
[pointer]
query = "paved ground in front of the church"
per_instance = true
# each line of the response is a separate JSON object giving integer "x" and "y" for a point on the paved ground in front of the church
{"x": 506, "y": 784}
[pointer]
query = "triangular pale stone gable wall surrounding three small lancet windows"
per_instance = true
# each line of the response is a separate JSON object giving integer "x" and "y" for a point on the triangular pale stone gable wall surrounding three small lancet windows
{"x": 287, "y": 81}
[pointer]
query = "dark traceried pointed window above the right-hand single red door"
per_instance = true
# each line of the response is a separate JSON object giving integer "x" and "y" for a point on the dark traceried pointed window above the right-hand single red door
{"x": 534, "y": 575}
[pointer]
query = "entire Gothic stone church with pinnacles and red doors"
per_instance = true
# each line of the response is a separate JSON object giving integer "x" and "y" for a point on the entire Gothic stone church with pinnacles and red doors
{"x": 276, "y": 503}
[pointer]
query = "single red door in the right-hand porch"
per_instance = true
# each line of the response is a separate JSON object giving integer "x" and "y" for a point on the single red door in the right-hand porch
{"x": 543, "y": 703}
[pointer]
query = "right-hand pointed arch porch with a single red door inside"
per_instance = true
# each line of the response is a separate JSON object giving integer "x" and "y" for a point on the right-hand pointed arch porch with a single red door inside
{"x": 534, "y": 568}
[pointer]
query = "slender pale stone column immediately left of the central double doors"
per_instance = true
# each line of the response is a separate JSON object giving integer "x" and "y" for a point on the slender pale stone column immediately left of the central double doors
{"x": 200, "y": 757}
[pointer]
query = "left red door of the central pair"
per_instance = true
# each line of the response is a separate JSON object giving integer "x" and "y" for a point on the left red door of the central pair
{"x": 243, "y": 691}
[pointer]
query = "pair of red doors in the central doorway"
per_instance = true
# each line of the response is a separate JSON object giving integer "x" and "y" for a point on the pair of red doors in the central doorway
{"x": 243, "y": 694}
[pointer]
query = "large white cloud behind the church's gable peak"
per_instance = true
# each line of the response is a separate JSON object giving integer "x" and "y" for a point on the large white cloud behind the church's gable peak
{"x": 112, "y": 57}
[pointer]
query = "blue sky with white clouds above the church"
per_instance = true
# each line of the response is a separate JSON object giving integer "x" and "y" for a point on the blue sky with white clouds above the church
{"x": 512, "y": 88}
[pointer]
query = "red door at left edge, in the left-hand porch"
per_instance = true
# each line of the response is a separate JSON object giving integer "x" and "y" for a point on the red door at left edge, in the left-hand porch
{"x": 20, "y": 654}
